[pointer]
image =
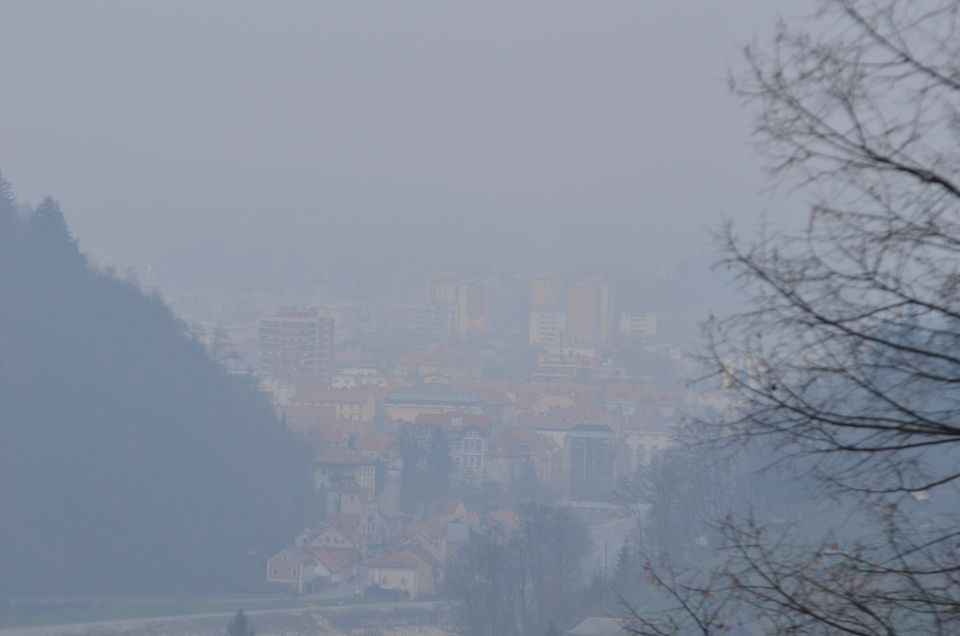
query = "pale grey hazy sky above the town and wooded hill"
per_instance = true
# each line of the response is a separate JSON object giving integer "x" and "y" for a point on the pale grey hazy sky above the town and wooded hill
{"x": 222, "y": 140}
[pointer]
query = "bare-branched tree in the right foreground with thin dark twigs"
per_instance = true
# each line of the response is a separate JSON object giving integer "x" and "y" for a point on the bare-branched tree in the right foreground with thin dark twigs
{"x": 845, "y": 363}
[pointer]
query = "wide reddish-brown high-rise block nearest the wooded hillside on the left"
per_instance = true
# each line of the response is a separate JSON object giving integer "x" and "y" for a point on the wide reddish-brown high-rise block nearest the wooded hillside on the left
{"x": 296, "y": 345}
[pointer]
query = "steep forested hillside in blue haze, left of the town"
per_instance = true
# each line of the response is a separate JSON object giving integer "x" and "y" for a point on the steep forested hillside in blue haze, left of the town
{"x": 130, "y": 462}
